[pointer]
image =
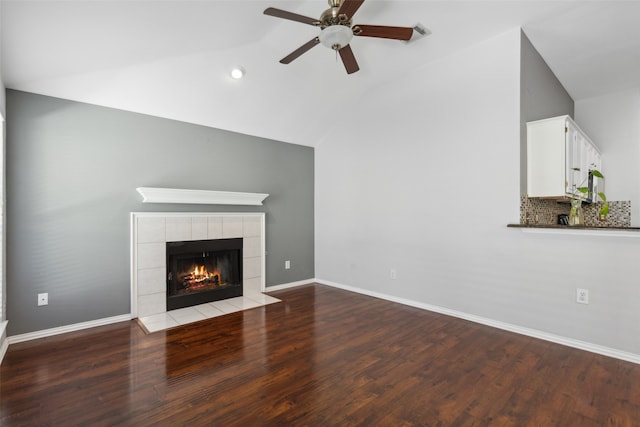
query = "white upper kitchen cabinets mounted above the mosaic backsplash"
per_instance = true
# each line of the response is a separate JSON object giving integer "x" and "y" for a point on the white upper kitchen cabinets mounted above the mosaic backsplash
{"x": 559, "y": 158}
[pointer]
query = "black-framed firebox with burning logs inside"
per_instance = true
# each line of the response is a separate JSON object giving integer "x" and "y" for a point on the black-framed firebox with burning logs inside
{"x": 202, "y": 271}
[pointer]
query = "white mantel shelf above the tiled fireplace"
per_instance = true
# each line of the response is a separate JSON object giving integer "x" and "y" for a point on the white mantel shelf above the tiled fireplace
{"x": 202, "y": 197}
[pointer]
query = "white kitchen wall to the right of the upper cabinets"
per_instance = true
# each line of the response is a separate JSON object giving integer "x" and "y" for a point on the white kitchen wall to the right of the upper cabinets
{"x": 613, "y": 123}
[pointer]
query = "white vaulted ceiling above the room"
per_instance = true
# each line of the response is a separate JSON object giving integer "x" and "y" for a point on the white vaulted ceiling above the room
{"x": 171, "y": 58}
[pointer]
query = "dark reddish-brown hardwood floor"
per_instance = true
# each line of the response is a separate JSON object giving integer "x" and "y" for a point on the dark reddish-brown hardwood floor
{"x": 322, "y": 357}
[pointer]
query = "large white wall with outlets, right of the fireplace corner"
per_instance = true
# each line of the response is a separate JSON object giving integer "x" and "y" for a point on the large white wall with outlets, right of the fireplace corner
{"x": 423, "y": 177}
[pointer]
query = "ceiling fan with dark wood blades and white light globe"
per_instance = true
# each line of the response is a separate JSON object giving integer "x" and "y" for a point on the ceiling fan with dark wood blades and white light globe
{"x": 337, "y": 30}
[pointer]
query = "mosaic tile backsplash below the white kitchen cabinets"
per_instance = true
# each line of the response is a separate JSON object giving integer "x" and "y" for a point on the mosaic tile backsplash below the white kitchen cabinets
{"x": 545, "y": 212}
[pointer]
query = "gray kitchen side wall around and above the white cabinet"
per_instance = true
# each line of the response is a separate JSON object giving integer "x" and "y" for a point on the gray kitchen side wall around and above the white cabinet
{"x": 541, "y": 96}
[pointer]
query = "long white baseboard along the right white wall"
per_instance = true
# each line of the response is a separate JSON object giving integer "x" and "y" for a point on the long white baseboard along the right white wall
{"x": 570, "y": 342}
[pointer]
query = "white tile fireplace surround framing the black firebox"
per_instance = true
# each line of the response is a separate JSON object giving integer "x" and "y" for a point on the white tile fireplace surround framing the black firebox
{"x": 150, "y": 231}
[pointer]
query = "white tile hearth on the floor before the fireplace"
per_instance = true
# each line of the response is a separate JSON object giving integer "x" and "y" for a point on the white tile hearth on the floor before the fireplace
{"x": 183, "y": 316}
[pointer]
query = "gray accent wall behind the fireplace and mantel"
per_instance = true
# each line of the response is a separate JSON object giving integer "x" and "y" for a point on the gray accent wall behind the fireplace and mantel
{"x": 72, "y": 170}
